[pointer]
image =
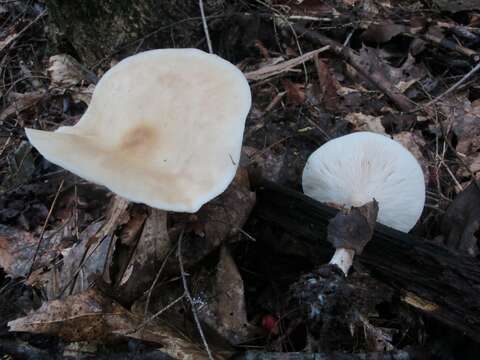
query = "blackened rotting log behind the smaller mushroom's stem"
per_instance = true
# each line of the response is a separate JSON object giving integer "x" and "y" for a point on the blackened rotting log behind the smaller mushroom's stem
{"x": 435, "y": 280}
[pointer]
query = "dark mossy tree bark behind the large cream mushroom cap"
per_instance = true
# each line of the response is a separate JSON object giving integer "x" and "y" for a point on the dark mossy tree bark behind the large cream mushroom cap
{"x": 96, "y": 30}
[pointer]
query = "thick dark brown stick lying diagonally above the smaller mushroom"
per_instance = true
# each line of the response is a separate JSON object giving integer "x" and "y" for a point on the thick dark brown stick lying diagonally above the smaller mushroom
{"x": 375, "y": 77}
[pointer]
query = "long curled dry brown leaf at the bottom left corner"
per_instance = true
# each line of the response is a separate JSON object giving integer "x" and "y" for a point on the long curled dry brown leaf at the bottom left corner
{"x": 91, "y": 316}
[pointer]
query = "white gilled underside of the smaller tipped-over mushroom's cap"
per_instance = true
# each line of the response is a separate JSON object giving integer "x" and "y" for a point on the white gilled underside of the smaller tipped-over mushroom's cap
{"x": 354, "y": 169}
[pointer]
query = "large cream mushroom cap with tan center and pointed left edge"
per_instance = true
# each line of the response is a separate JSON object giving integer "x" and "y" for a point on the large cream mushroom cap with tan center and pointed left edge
{"x": 164, "y": 128}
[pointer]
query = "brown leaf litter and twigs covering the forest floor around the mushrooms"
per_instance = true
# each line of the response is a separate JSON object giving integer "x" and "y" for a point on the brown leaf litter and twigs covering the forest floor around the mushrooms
{"x": 100, "y": 255}
